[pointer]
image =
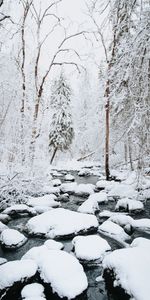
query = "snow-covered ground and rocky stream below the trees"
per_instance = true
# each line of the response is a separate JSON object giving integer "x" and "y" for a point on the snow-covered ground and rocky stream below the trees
{"x": 105, "y": 217}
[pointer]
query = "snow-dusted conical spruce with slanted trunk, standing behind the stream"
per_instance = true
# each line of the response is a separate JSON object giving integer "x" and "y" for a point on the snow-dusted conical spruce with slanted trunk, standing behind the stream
{"x": 61, "y": 128}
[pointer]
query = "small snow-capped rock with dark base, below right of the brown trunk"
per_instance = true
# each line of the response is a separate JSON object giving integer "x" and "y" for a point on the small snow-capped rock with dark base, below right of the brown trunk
{"x": 129, "y": 205}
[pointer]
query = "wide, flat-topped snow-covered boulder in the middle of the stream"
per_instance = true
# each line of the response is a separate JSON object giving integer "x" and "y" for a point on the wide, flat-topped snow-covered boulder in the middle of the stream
{"x": 61, "y": 222}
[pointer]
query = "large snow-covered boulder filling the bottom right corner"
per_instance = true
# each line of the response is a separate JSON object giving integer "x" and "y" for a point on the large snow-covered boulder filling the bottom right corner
{"x": 131, "y": 268}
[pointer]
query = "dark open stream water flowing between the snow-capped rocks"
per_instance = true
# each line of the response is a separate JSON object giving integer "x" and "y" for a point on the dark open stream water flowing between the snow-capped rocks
{"x": 96, "y": 290}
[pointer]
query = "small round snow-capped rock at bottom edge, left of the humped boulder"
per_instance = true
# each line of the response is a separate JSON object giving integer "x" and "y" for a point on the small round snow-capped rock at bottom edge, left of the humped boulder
{"x": 32, "y": 290}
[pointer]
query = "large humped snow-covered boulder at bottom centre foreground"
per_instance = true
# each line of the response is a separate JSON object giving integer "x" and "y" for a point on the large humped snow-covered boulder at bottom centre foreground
{"x": 61, "y": 270}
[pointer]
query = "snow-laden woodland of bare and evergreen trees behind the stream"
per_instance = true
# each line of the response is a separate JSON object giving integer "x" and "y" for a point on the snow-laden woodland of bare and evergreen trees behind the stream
{"x": 75, "y": 91}
